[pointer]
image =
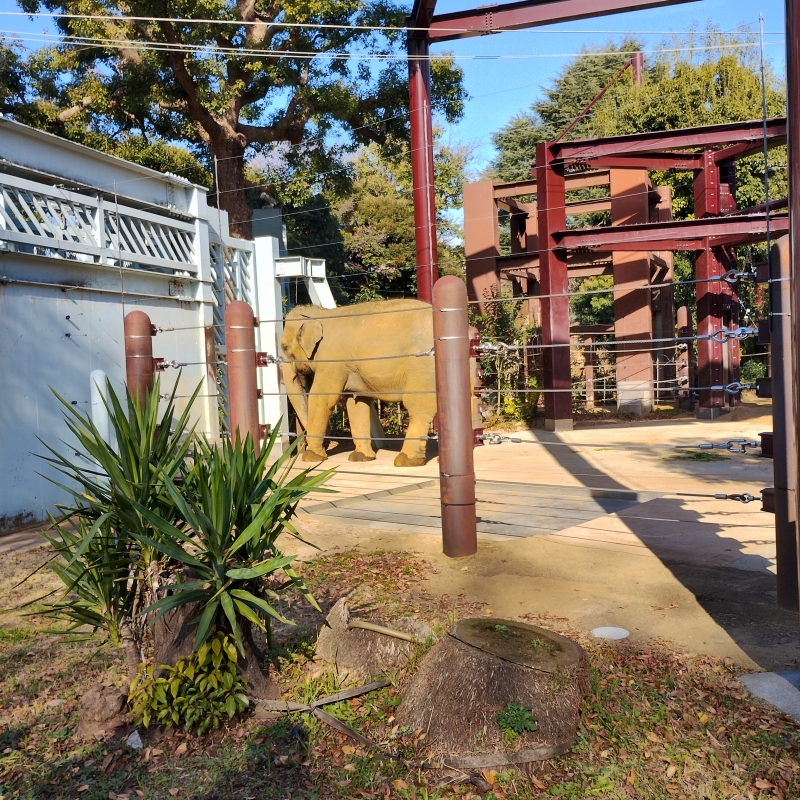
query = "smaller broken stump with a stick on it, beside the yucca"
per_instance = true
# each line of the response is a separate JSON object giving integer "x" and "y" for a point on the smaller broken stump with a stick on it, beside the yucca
{"x": 361, "y": 654}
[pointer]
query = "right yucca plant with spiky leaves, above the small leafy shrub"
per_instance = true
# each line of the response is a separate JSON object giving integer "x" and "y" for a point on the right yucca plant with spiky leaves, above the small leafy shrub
{"x": 242, "y": 503}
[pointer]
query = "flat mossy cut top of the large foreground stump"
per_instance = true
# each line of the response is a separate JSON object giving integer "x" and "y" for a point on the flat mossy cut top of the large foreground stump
{"x": 519, "y": 643}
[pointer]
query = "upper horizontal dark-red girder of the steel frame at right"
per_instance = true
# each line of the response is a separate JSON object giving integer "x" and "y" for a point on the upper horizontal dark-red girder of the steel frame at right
{"x": 694, "y": 138}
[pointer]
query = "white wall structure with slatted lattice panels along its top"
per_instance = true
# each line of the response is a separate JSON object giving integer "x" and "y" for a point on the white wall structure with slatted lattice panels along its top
{"x": 85, "y": 238}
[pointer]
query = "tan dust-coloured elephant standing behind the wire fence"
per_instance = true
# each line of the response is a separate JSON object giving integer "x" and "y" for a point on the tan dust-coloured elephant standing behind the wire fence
{"x": 382, "y": 349}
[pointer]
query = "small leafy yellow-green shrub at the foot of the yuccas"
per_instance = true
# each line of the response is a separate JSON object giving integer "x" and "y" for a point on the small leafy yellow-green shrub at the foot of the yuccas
{"x": 197, "y": 692}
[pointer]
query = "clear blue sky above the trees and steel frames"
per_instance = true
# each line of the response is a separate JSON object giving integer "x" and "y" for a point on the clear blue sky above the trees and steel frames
{"x": 501, "y": 87}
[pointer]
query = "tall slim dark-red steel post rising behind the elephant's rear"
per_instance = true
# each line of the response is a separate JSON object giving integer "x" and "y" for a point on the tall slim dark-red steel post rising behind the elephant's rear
{"x": 422, "y": 174}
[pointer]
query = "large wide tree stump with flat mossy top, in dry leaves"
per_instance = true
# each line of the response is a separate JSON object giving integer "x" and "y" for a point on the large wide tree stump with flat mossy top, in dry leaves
{"x": 474, "y": 672}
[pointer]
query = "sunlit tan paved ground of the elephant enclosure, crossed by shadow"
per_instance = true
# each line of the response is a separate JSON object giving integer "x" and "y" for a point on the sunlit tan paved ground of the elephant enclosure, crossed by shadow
{"x": 582, "y": 489}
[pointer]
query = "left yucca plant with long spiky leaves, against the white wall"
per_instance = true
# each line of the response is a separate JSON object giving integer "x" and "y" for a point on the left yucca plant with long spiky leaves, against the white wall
{"x": 109, "y": 576}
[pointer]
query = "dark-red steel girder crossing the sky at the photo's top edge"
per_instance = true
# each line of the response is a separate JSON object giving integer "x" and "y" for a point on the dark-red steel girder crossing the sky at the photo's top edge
{"x": 527, "y": 14}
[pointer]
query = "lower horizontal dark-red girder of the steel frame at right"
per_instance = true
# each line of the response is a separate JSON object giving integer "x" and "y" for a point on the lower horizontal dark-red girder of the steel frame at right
{"x": 690, "y": 234}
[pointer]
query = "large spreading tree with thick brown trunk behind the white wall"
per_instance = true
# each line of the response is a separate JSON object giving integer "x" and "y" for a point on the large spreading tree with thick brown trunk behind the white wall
{"x": 236, "y": 77}
